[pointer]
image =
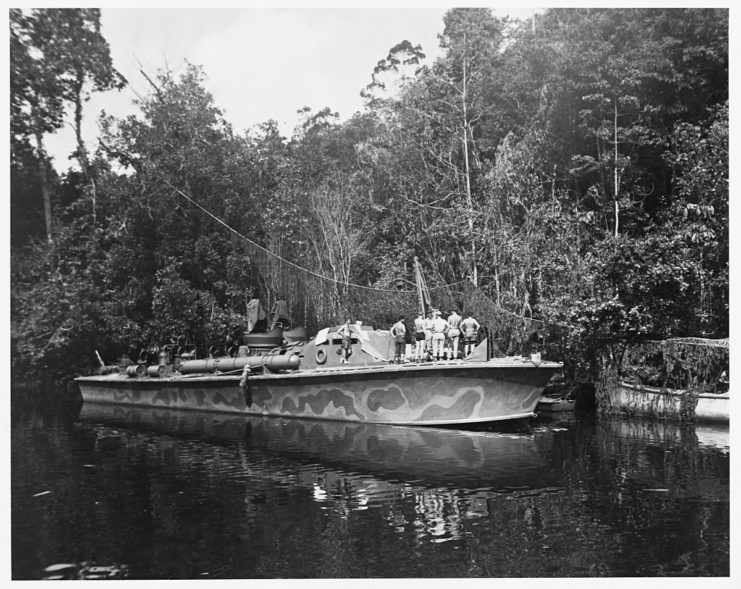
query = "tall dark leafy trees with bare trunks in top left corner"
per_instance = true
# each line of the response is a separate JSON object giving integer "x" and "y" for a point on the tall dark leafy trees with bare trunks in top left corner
{"x": 57, "y": 58}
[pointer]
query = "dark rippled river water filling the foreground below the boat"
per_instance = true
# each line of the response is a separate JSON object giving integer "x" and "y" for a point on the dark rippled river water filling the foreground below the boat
{"x": 185, "y": 495}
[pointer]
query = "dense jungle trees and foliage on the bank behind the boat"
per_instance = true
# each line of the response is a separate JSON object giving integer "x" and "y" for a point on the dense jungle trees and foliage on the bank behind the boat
{"x": 574, "y": 169}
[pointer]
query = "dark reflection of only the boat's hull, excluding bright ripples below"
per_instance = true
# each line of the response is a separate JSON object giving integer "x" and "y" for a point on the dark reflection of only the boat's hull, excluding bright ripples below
{"x": 392, "y": 454}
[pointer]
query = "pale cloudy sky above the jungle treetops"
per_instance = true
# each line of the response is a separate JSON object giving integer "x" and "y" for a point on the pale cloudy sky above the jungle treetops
{"x": 260, "y": 63}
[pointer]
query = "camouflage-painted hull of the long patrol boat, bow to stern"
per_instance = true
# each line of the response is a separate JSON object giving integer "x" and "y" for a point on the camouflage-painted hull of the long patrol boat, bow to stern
{"x": 426, "y": 394}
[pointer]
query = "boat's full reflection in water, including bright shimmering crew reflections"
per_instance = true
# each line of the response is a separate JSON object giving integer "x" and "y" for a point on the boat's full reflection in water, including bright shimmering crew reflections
{"x": 450, "y": 476}
